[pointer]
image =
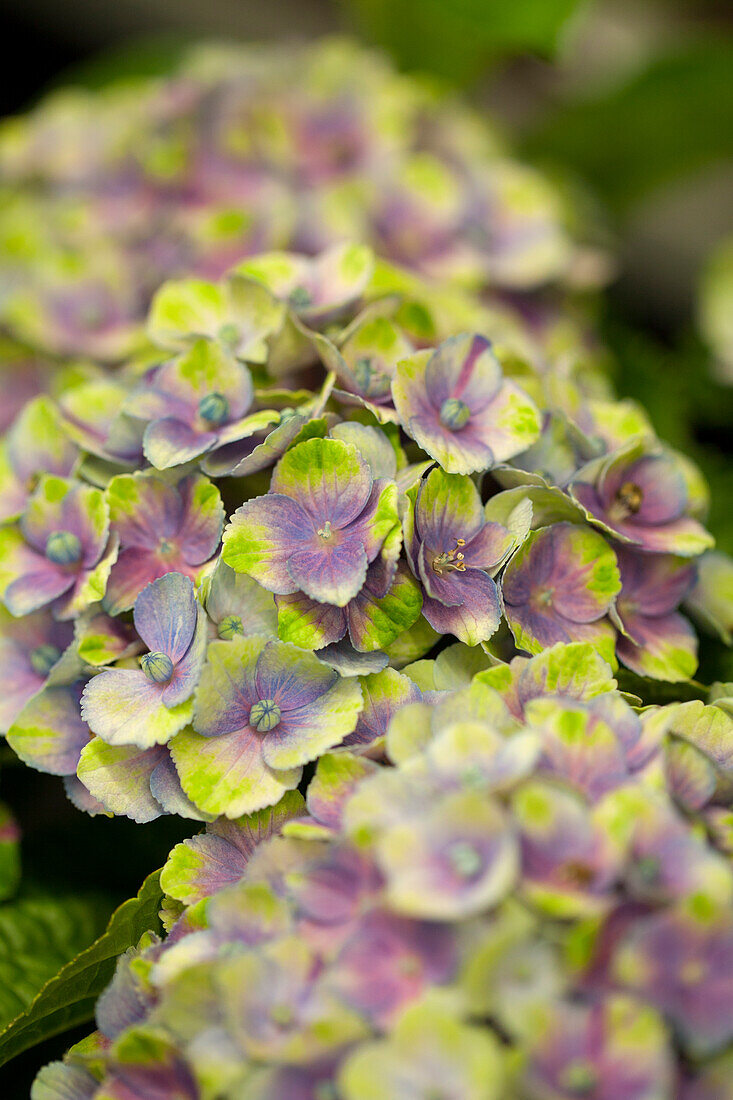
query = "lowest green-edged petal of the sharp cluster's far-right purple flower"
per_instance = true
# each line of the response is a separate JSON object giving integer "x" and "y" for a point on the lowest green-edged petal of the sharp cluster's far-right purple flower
{"x": 664, "y": 647}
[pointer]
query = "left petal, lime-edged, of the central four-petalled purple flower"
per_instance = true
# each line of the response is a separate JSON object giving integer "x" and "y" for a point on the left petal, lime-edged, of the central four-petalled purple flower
{"x": 261, "y": 537}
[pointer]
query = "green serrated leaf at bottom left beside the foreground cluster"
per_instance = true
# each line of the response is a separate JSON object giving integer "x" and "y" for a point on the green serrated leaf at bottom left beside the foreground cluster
{"x": 34, "y": 931}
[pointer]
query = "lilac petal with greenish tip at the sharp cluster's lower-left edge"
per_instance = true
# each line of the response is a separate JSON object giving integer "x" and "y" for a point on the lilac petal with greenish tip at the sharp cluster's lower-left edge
{"x": 49, "y": 733}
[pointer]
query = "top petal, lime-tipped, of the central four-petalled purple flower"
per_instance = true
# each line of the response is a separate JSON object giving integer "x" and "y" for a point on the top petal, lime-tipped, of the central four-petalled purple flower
{"x": 329, "y": 478}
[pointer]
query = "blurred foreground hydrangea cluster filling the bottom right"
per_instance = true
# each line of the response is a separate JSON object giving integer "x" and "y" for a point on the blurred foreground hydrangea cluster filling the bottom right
{"x": 517, "y": 888}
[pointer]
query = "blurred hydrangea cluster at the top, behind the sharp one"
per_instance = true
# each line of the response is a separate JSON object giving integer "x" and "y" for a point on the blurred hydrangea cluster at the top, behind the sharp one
{"x": 108, "y": 193}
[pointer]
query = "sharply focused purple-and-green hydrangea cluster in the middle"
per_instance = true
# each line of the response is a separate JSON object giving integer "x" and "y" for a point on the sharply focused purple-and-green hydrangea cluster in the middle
{"x": 316, "y": 471}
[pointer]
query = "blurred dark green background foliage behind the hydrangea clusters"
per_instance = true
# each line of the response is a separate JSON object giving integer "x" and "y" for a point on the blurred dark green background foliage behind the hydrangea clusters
{"x": 629, "y": 102}
